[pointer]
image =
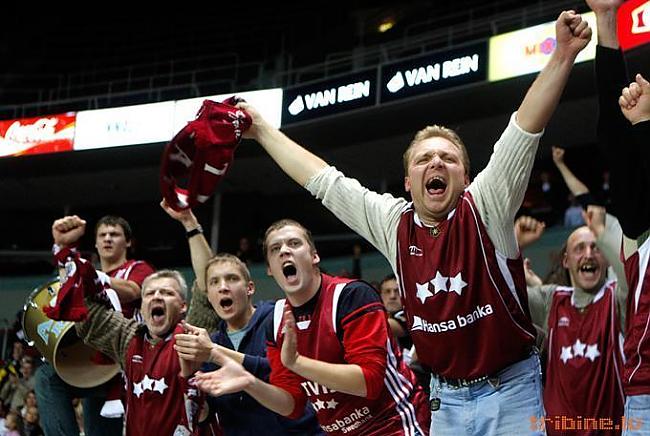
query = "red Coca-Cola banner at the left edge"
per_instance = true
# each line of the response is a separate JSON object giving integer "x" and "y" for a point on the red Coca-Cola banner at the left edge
{"x": 46, "y": 134}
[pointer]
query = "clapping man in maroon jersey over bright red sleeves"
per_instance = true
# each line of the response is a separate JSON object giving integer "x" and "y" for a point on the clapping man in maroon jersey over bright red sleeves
{"x": 329, "y": 344}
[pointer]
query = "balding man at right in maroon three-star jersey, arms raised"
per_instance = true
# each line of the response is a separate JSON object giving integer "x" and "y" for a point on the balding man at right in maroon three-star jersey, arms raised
{"x": 584, "y": 325}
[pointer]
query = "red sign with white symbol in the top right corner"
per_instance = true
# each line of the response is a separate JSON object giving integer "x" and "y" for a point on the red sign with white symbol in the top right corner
{"x": 634, "y": 23}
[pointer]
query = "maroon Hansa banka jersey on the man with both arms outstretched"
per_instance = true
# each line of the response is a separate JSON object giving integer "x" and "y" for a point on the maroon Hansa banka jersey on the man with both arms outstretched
{"x": 466, "y": 304}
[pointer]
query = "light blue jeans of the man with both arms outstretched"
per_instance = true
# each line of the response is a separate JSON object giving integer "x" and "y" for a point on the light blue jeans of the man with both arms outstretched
{"x": 511, "y": 406}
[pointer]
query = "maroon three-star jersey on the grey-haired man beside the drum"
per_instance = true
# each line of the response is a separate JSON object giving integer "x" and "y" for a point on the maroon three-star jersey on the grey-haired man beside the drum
{"x": 158, "y": 399}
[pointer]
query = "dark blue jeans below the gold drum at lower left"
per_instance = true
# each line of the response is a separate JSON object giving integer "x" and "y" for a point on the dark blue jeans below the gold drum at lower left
{"x": 57, "y": 417}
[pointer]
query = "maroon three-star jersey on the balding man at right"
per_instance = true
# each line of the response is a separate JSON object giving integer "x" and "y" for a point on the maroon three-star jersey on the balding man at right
{"x": 583, "y": 377}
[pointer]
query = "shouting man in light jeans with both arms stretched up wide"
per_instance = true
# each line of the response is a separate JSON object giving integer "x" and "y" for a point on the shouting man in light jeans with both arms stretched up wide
{"x": 454, "y": 252}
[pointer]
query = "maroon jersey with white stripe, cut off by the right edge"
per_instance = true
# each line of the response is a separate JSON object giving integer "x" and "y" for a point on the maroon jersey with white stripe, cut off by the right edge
{"x": 636, "y": 375}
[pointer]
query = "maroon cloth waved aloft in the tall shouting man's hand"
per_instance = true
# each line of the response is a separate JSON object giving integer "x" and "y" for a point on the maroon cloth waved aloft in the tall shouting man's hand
{"x": 200, "y": 154}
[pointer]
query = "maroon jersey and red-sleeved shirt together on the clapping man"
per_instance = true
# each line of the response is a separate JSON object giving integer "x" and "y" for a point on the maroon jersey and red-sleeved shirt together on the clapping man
{"x": 394, "y": 407}
